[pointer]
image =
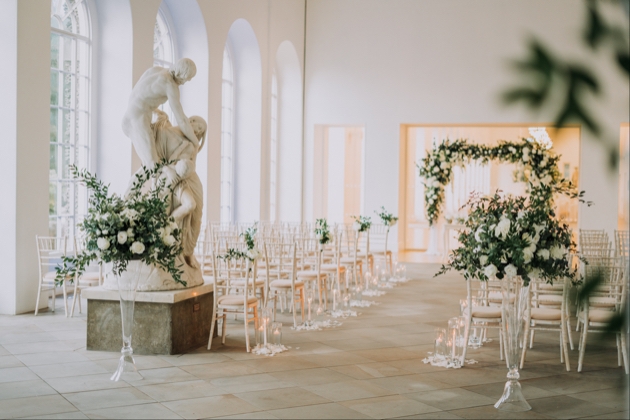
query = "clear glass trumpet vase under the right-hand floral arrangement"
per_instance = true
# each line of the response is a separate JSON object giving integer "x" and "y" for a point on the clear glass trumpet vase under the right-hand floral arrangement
{"x": 514, "y": 295}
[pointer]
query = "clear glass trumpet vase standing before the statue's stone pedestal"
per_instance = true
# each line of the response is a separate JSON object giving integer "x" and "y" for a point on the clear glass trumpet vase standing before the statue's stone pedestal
{"x": 127, "y": 286}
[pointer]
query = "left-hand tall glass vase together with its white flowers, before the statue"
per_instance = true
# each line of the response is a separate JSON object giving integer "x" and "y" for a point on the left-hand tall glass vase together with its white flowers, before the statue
{"x": 135, "y": 234}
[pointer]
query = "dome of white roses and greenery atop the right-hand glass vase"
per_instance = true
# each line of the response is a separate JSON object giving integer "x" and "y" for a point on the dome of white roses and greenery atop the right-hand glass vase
{"x": 510, "y": 236}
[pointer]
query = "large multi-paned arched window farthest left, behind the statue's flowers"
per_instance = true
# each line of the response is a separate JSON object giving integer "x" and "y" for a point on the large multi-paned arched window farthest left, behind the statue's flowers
{"x": 70, "y": 113}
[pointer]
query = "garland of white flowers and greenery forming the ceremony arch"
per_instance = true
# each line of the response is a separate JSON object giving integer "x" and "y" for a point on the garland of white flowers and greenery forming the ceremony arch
{"x": 538, "y": 165}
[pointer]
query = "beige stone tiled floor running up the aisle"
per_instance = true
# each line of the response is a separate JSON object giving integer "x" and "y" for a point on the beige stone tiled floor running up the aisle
{"x": 370, "y": 367}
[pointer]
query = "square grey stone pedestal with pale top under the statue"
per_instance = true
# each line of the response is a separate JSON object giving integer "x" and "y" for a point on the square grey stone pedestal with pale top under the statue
{"x": 167, "y": 322}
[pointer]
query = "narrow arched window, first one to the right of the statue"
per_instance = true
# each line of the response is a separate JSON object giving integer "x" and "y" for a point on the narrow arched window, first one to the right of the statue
{"x": 227, "y": 137}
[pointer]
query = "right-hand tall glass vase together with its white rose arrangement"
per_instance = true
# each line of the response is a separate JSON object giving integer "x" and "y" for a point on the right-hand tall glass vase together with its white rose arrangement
{"x": 512, "y": 239}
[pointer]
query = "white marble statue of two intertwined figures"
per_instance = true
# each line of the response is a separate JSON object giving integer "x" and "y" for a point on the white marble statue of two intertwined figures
{"x": 154, "y": 138}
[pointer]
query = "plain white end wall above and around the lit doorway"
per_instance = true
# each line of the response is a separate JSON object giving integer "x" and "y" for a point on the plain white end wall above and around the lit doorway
{"x": 383, "y": 63}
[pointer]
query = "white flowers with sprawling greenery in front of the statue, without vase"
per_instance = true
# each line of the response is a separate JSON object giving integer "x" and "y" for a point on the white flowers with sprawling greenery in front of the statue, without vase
{"x": 118, "y": 230}
